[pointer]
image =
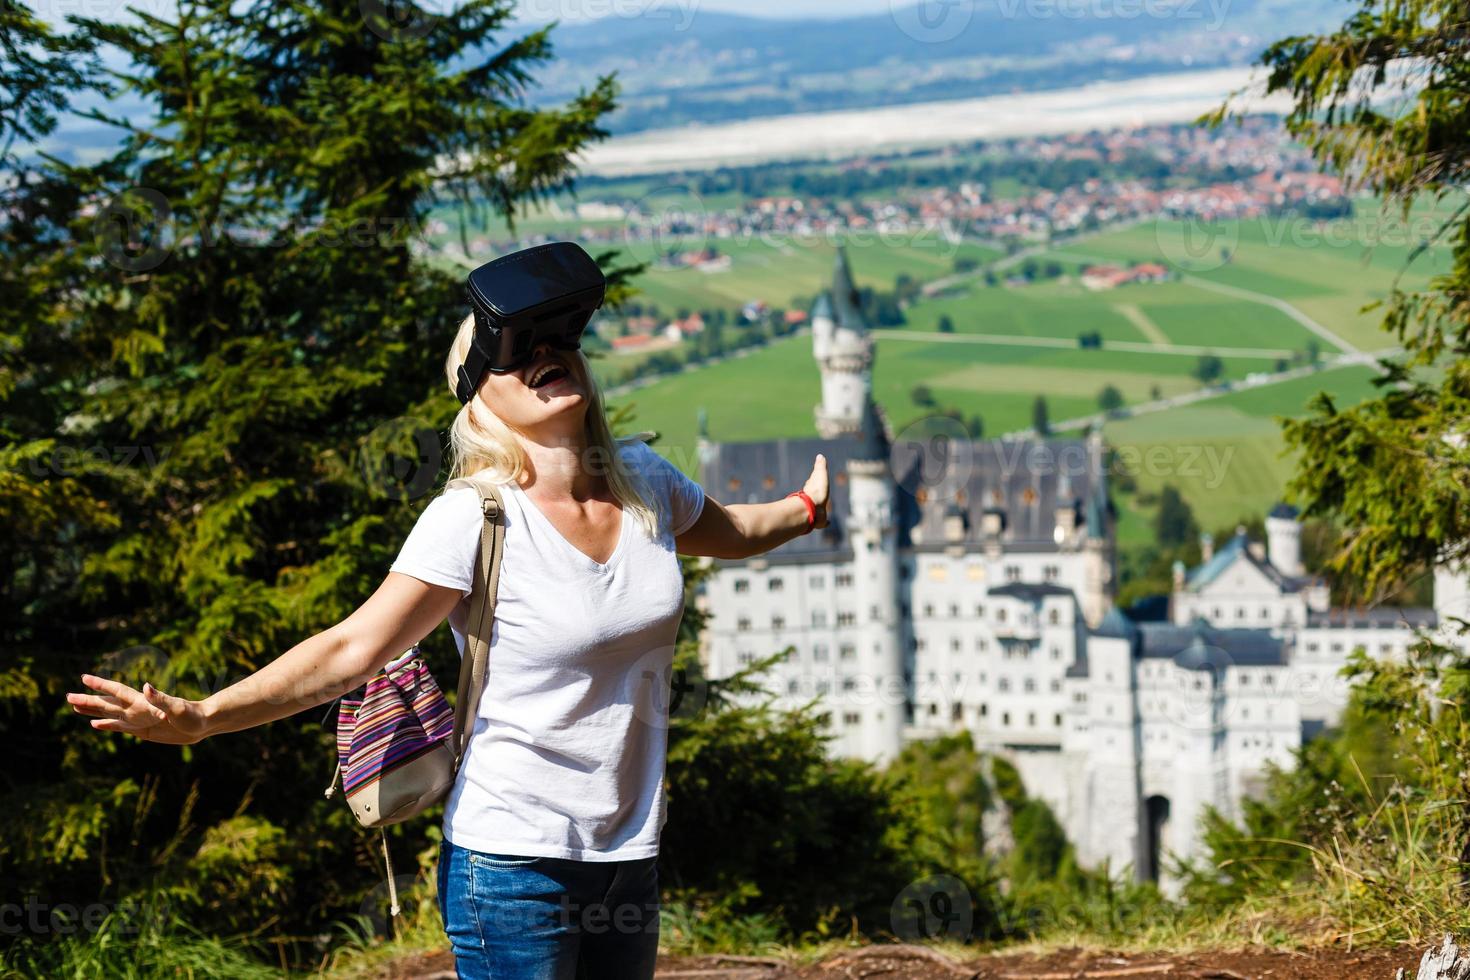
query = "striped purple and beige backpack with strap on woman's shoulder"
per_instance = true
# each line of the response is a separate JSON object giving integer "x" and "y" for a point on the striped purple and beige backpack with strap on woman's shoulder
{"x": 399, "y": 746}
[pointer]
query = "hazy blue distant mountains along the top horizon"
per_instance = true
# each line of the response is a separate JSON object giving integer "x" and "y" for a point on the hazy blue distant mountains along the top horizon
{"x": 680, "y": 64}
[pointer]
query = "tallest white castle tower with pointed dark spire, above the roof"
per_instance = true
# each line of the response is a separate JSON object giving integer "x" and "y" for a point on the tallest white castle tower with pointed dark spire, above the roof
{"x": 845, "y": 353}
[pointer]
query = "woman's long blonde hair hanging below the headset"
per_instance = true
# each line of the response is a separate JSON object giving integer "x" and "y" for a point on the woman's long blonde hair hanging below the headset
{"x": 484, "y": 447}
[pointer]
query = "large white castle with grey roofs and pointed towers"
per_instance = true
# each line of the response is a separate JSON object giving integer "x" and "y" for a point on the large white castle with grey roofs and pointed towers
{"x": 969, "y": 586}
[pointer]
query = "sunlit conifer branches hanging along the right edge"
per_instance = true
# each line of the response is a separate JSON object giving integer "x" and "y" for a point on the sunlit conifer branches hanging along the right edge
{"x": 1394, "y": 472}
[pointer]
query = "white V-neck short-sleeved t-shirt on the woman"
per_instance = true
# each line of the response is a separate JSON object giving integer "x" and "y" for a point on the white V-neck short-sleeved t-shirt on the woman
{"x": 568, "y": 749}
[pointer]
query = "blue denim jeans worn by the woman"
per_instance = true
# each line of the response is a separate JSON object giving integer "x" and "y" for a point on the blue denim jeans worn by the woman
{"x": 514, "y": 918}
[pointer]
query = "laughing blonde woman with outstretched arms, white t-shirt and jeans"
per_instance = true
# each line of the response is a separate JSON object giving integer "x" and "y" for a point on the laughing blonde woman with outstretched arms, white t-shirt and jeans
{"x": 552, "y": 829}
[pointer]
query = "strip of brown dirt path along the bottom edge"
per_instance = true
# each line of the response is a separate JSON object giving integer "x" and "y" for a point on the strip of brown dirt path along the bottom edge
{"x": 918, "y": 963}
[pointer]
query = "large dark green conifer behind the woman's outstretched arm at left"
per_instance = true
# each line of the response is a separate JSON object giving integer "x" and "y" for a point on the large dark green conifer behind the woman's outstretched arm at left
{"x": 239, "y": 358}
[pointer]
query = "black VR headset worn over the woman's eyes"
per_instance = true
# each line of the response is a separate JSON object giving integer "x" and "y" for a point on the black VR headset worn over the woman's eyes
{"x": 527, "y": 299}
